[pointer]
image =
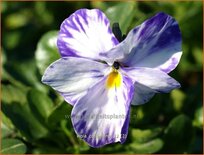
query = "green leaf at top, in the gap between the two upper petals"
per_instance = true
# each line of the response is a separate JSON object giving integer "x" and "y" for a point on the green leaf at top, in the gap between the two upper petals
{"x": 122, "y": 13}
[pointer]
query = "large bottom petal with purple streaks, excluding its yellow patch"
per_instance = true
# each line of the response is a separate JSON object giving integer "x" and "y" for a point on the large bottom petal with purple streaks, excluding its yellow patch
{"x": 102, "y": 115}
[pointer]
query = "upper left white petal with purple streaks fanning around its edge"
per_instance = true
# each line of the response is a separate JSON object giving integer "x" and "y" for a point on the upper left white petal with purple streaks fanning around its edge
{"x": 86, "y": 33}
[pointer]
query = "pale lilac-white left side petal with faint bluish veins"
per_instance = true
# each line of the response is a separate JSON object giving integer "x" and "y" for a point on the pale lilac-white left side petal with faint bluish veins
{"x": 72, "y": 76}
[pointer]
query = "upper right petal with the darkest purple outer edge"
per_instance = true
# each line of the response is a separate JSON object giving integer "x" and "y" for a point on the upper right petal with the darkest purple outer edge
{"x": 156, "y": 43}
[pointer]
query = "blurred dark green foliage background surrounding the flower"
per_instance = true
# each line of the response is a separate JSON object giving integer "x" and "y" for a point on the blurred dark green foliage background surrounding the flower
{"x": 34, "y": 117}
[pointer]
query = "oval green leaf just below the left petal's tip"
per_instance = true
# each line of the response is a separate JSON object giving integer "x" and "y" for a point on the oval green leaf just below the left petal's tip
{"x": 40, "y": 104}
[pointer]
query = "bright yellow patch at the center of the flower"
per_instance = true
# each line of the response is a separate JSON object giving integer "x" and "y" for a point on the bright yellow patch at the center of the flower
{"x": 114, "y": 79}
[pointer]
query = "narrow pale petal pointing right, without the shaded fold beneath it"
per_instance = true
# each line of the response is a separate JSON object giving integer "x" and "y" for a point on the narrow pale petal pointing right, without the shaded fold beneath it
{"x": 154, "y": 79}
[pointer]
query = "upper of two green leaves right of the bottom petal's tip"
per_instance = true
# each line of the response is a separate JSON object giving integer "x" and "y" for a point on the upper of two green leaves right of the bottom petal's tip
{"x": 142, "y": 136}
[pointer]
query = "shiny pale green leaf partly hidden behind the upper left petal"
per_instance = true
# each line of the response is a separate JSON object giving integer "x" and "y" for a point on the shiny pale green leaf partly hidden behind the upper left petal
{"x": 47, "y": 51}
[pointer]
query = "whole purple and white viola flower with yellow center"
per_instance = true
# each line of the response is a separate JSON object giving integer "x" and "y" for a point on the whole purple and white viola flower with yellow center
{"x": 101, "y": 77}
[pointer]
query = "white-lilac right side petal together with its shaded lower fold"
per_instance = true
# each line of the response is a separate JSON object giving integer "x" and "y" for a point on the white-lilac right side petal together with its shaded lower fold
{"x": 149, "y": 81}
